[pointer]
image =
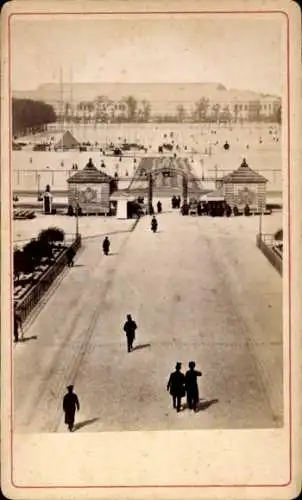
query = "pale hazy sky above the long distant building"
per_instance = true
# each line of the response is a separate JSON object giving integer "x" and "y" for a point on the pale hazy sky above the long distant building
{"x": 239, "y": 53}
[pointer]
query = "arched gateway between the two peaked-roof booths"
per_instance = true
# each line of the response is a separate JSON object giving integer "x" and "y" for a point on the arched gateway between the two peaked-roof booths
{"x": 166, "y": 175}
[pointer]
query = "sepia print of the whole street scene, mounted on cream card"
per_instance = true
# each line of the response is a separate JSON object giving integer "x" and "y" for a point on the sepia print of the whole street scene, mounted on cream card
{"x": 149, "y": 232}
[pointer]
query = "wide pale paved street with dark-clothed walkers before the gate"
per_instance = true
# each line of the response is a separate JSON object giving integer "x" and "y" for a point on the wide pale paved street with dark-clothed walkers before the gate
{"x": 198, "y": 289}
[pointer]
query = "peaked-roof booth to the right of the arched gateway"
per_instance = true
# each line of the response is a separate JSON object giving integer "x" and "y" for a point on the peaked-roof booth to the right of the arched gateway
{"x": 244, "y": 187}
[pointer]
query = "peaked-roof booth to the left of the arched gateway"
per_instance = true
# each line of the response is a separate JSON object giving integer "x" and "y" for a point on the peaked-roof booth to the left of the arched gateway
{"x": 90, "y": 190}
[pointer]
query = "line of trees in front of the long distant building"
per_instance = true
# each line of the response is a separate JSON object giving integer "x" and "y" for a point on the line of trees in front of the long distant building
{"x": 34, "y": 115}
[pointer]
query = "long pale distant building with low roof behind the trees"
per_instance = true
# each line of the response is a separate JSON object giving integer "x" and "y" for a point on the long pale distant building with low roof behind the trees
{"x": 109, "y": 101}
